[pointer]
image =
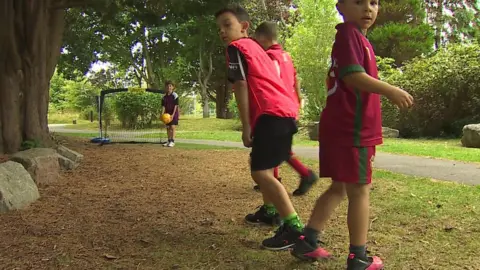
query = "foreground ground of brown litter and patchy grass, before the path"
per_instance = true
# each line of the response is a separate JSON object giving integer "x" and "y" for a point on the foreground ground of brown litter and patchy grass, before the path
{"x": 121, "y": 210}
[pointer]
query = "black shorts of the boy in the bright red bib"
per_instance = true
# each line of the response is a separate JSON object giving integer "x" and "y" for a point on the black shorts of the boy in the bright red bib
{"x": 272, "y": 142}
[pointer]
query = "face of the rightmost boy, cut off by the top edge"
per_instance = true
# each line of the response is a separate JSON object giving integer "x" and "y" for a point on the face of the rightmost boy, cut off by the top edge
{"x": 362, "y": 12}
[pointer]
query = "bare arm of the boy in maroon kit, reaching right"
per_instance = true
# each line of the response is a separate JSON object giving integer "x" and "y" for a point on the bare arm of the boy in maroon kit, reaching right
{"x": 363, "y": 81}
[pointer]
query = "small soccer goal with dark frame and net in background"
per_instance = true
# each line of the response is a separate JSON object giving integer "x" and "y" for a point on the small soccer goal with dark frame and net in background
{"x": 130, "y": 115}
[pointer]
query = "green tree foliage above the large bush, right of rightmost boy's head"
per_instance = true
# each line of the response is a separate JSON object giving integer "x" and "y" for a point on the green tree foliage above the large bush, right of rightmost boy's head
{"x": 400, "y": 31}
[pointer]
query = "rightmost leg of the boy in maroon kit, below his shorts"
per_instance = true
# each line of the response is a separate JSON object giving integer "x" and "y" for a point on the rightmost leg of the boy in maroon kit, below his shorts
{"x": 358, "y": 217}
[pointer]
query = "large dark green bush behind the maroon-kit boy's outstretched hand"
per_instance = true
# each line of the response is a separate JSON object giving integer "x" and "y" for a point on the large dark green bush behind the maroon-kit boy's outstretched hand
{"x": 446, "y": 89}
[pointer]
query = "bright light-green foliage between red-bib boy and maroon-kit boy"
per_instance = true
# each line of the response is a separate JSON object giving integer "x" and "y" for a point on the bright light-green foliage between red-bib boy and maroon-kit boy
{"x": 310, "y": 47}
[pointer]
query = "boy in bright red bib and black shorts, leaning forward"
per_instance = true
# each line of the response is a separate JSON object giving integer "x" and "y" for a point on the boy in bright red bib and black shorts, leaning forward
{"x": 267, "y": 113}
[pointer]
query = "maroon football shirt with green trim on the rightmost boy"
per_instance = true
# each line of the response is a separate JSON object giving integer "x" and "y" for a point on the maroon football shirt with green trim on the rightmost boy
{"x": 352, "y": 117}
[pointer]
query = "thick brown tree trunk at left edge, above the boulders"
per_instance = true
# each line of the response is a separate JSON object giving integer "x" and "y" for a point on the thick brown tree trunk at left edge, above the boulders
{"x": 30, "y": 41}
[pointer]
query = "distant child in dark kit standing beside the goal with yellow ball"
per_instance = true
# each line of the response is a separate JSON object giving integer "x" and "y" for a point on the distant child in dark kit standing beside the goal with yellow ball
{"x": 170, "y": 105}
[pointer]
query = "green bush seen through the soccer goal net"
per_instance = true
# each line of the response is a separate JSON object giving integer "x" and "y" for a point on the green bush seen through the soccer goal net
{"x": 137, "y": 110}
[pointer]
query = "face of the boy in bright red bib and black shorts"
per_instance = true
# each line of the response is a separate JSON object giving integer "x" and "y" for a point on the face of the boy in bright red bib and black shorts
{"x": 230, "y": 28}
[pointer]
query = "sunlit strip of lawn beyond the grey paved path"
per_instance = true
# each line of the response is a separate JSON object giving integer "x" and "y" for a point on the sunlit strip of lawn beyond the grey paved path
{"x": 228, "y": 130}
